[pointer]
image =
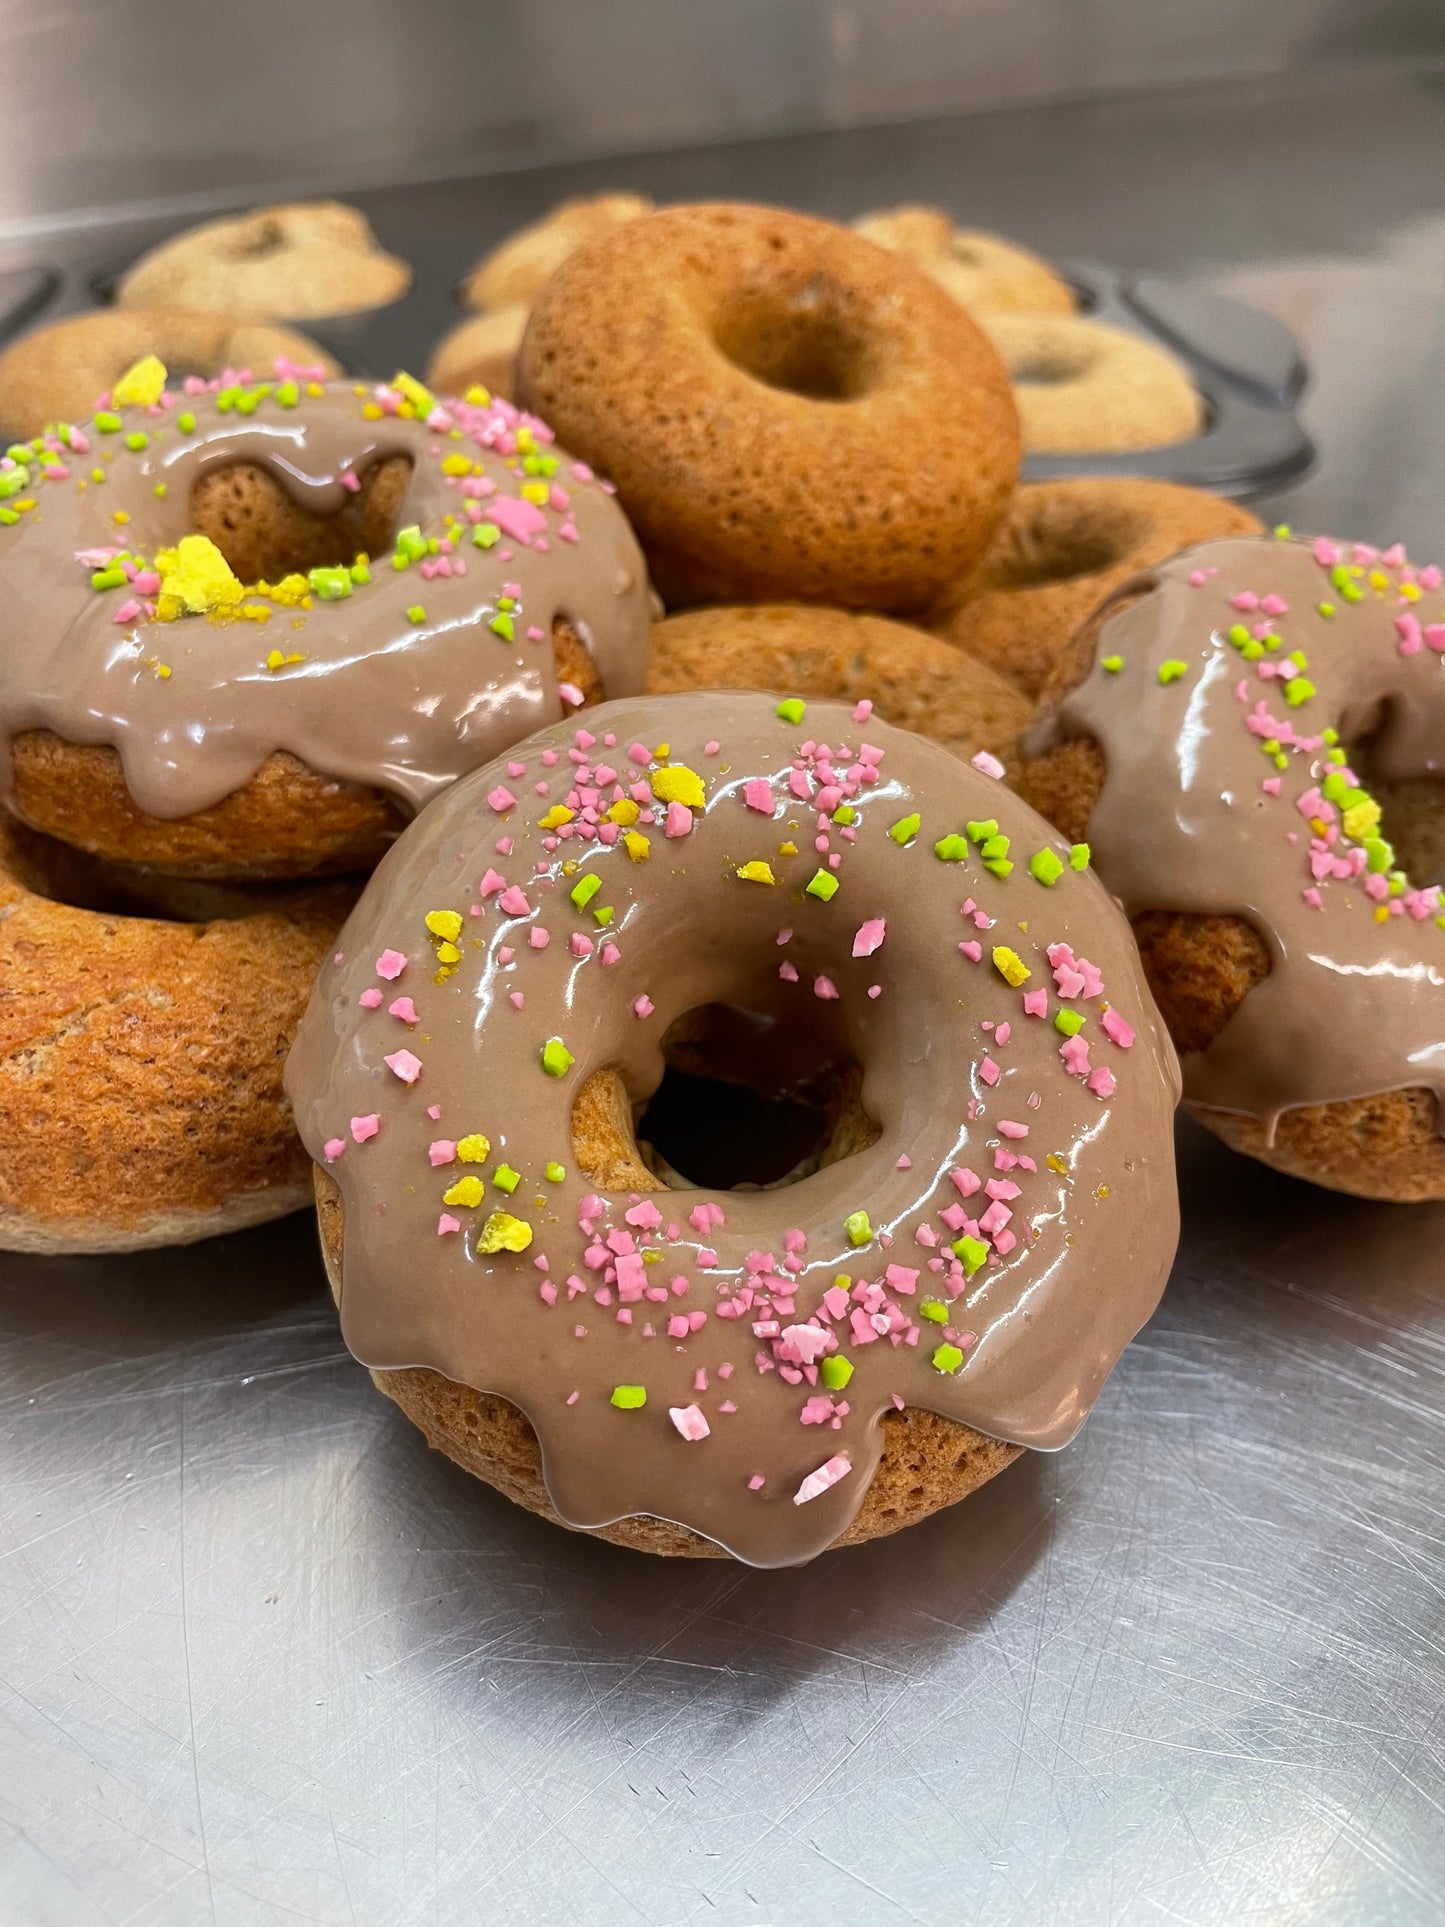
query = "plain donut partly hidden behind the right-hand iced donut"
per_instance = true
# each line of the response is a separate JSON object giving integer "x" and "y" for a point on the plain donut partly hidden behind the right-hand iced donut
{"x": 1059, "y": 552}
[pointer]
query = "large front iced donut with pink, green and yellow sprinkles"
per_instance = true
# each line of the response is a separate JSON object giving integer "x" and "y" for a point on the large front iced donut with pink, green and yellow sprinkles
{"x": 951, "y": 1211}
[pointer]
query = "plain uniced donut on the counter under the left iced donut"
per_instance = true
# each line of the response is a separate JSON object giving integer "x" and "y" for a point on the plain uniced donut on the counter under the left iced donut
{"x": 142, "y": 1057}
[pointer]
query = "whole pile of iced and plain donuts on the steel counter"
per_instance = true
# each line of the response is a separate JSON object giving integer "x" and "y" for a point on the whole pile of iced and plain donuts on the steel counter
{"x": 739, "y": 1103}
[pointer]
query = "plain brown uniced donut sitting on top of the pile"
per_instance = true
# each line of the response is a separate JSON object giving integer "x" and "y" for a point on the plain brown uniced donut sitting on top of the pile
{"x": 789, "y": 411}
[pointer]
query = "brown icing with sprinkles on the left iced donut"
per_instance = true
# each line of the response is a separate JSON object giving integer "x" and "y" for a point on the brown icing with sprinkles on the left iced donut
{"x": 396, "y": 677}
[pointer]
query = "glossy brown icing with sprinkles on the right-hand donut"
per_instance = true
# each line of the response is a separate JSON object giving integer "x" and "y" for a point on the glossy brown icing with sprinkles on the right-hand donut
{"x": 1228, "y": 704}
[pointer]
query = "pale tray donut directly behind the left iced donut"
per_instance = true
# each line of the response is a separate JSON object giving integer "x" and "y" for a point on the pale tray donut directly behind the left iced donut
{"x": 57, "y": 373}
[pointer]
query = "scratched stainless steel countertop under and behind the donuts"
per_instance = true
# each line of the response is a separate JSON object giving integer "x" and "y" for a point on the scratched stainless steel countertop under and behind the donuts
{"x": 267, "y": 1660}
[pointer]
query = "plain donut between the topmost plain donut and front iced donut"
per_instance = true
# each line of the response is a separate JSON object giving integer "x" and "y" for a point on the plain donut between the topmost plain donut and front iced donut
{"x": 910, "y": 679}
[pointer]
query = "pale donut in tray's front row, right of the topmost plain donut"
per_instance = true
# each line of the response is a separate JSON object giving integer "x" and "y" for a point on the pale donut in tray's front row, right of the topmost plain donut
{"x": 1086, "y": 388}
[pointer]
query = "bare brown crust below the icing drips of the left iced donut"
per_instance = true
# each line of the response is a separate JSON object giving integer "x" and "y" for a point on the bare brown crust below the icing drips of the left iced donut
{"x": 288, "y": 822}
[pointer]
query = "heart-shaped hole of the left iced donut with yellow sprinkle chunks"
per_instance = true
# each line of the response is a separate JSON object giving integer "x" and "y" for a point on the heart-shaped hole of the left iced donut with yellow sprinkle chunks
{"x": 267, "y": 535}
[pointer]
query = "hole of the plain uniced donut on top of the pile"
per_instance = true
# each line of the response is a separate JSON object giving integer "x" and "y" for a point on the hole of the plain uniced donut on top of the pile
{"x": 804, "y": 342}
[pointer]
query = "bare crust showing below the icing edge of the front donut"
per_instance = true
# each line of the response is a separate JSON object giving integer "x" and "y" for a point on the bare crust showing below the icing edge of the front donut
{"x": 928, "y": 1462}
